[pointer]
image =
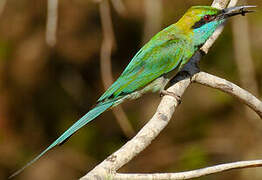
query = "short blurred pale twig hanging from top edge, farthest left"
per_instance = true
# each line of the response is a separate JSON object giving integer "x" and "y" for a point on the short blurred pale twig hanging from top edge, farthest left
{"x": 51, "y": 24}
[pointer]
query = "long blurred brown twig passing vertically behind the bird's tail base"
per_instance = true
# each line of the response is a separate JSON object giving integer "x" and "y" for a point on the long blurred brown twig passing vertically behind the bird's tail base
{"x": 105, "y": 63}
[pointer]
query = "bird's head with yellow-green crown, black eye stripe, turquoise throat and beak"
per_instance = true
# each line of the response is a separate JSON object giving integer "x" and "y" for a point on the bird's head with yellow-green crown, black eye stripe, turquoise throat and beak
{"x": 199, "y": 22}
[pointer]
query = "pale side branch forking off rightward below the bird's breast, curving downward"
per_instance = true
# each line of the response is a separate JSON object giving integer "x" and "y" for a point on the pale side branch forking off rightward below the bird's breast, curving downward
{"x": 230, "y": 88}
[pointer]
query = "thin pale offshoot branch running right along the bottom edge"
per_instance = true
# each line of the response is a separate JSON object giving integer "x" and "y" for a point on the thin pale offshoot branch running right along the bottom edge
{"x": 190, "y": 174}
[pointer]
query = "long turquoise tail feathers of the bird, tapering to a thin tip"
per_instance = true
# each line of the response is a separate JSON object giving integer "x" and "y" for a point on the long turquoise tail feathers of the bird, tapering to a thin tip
{"x": 92, "y": 114}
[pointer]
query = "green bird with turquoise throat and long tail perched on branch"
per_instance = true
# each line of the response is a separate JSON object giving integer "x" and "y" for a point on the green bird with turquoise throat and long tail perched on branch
{"x": 156, "y": 63}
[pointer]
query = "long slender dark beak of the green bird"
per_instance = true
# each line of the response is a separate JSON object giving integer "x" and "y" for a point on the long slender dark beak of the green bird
{"x": 232, "y": 11}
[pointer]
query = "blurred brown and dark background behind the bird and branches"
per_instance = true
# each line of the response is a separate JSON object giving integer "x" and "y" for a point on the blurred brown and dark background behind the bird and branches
{"x": 44, "y": 89}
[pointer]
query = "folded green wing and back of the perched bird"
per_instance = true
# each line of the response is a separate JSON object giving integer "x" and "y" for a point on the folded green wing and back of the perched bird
{"x": 159, "y": 56}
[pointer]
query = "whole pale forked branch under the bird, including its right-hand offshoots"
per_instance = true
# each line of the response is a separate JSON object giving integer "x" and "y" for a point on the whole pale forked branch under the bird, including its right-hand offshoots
{"x": 107, "y": 169}
